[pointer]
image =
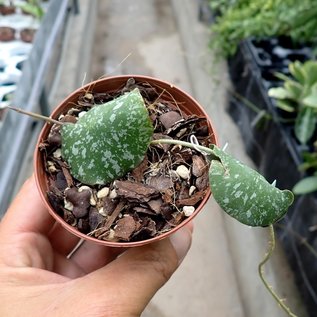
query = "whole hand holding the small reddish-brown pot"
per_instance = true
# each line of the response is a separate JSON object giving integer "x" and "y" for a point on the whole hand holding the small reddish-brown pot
{"x": 37, "y": 279}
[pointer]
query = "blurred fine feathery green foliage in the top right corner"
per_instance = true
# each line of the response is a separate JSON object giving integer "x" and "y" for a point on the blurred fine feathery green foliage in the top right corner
{"x": 241, "y": 19}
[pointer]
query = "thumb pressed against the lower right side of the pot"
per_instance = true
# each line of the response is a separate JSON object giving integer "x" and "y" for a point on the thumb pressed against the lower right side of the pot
{"x": 126, "y": 285}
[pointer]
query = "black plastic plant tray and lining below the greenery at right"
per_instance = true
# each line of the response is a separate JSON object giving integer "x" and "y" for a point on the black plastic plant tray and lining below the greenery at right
{"x": 274, "y": 149}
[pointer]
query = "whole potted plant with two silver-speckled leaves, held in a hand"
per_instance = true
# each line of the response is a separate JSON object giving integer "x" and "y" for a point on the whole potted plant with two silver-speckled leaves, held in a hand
{"x": 144, "y": 148}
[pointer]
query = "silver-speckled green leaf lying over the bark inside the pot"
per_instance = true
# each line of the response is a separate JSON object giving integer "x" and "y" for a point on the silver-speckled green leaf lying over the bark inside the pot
{"x": 109, "y": 140}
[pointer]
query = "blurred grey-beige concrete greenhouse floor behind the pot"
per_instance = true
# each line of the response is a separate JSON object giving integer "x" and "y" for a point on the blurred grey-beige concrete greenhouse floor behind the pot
{"x": 165, "y": 39}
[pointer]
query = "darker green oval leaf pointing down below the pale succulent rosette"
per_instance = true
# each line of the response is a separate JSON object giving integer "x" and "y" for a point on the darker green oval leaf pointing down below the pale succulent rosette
{"x": 305, "y": 124}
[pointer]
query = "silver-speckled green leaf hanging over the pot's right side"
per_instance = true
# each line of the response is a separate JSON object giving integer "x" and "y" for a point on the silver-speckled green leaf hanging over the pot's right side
{"x": 245, "y": 194}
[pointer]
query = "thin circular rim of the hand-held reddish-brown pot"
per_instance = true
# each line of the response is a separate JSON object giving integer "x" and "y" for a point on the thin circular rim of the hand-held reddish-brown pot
{"x": 38, "y": 158}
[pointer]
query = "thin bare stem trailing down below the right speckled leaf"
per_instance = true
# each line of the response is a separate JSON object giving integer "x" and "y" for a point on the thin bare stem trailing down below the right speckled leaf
{"x": 261, "y": 273}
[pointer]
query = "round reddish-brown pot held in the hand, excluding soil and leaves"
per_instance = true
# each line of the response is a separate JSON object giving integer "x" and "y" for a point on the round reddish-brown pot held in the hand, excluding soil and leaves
{"x": 186, "y": 103}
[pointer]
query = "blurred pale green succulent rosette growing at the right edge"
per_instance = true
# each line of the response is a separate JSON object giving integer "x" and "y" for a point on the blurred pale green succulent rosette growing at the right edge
{"x": 299, "y": 95}
